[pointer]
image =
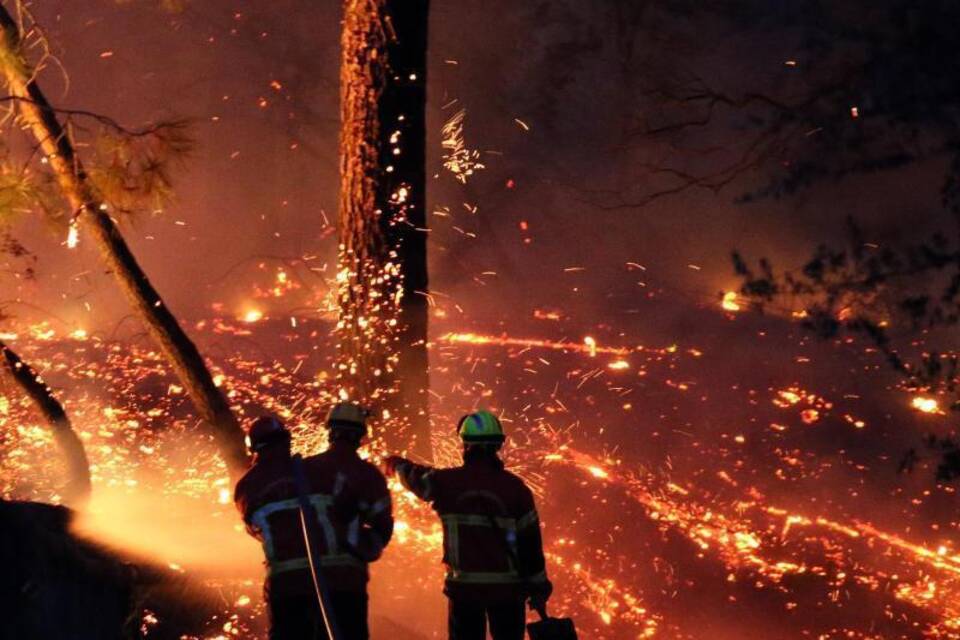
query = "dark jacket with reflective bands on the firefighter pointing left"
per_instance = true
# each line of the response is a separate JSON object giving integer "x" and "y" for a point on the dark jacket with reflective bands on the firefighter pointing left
{"x": 492, "y": 545}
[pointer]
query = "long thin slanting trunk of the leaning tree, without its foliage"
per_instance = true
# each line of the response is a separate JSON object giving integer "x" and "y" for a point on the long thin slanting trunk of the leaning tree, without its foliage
{"x": 181, "y": 353}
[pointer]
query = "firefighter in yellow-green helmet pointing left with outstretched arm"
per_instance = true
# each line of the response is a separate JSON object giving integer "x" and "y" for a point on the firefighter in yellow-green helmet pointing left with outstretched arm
{"x": 492, "y": 544}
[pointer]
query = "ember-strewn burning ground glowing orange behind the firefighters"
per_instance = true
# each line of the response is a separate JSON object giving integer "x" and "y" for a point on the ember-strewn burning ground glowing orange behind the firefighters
{"x": 709, "y": 487}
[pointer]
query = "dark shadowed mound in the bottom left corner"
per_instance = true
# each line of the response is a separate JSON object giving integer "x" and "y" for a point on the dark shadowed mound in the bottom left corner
{"x": 55, "y": 585}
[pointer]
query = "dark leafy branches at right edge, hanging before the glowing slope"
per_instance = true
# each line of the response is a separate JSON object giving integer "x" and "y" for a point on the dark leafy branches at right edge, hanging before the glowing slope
{"x": 897, "y": 297}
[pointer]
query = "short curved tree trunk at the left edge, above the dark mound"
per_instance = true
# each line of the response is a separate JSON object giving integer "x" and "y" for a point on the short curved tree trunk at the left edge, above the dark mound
{"x": 77, "y": 490}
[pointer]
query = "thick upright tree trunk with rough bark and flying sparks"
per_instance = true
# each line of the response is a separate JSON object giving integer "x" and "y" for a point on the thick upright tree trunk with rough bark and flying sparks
{"x": 382, "y": 219}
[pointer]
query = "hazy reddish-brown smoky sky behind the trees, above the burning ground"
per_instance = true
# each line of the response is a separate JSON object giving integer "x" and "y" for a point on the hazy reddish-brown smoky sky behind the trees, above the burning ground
{"x": 550, "y": 92}
